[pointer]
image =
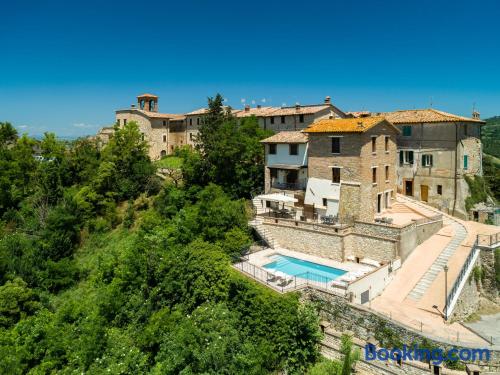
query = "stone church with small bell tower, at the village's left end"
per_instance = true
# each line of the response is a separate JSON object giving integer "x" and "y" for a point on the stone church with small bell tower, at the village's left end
{"x": 162, "y": 131}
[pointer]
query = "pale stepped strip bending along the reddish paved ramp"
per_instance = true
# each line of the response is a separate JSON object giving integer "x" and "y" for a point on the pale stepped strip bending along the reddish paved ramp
{"x": 430, "y": 275}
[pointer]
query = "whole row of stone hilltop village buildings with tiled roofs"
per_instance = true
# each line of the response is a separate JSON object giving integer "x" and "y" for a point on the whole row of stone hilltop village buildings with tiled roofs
{"x": 423, "y": 153}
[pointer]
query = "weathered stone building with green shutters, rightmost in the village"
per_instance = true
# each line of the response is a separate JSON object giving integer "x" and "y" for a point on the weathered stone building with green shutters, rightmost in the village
{"x": 436, "y": 150}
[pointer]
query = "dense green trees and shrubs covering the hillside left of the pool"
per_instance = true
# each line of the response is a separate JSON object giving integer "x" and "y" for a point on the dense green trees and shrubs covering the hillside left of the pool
{"x": 81, "y": 293}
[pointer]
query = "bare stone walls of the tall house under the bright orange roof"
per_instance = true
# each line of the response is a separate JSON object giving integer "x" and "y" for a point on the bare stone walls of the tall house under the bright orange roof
{"x": 358, "y": 157}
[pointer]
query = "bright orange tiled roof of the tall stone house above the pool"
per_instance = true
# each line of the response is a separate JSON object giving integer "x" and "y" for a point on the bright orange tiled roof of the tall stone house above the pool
{"x": 346, "y": 125}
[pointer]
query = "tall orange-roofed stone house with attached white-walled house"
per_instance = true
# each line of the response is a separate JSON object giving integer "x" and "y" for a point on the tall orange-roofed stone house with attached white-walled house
{"x": 349, "y": 163}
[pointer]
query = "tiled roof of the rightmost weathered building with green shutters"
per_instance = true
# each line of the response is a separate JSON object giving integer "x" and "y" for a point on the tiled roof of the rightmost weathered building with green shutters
{"x": 430, "y": 115}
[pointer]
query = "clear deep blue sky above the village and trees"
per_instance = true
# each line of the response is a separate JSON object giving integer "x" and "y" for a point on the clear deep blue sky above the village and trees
{"x": 66, "y": 66}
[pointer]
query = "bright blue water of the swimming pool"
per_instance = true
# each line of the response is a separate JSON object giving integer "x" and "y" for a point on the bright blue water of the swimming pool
{"x": 302, "y": 268}
